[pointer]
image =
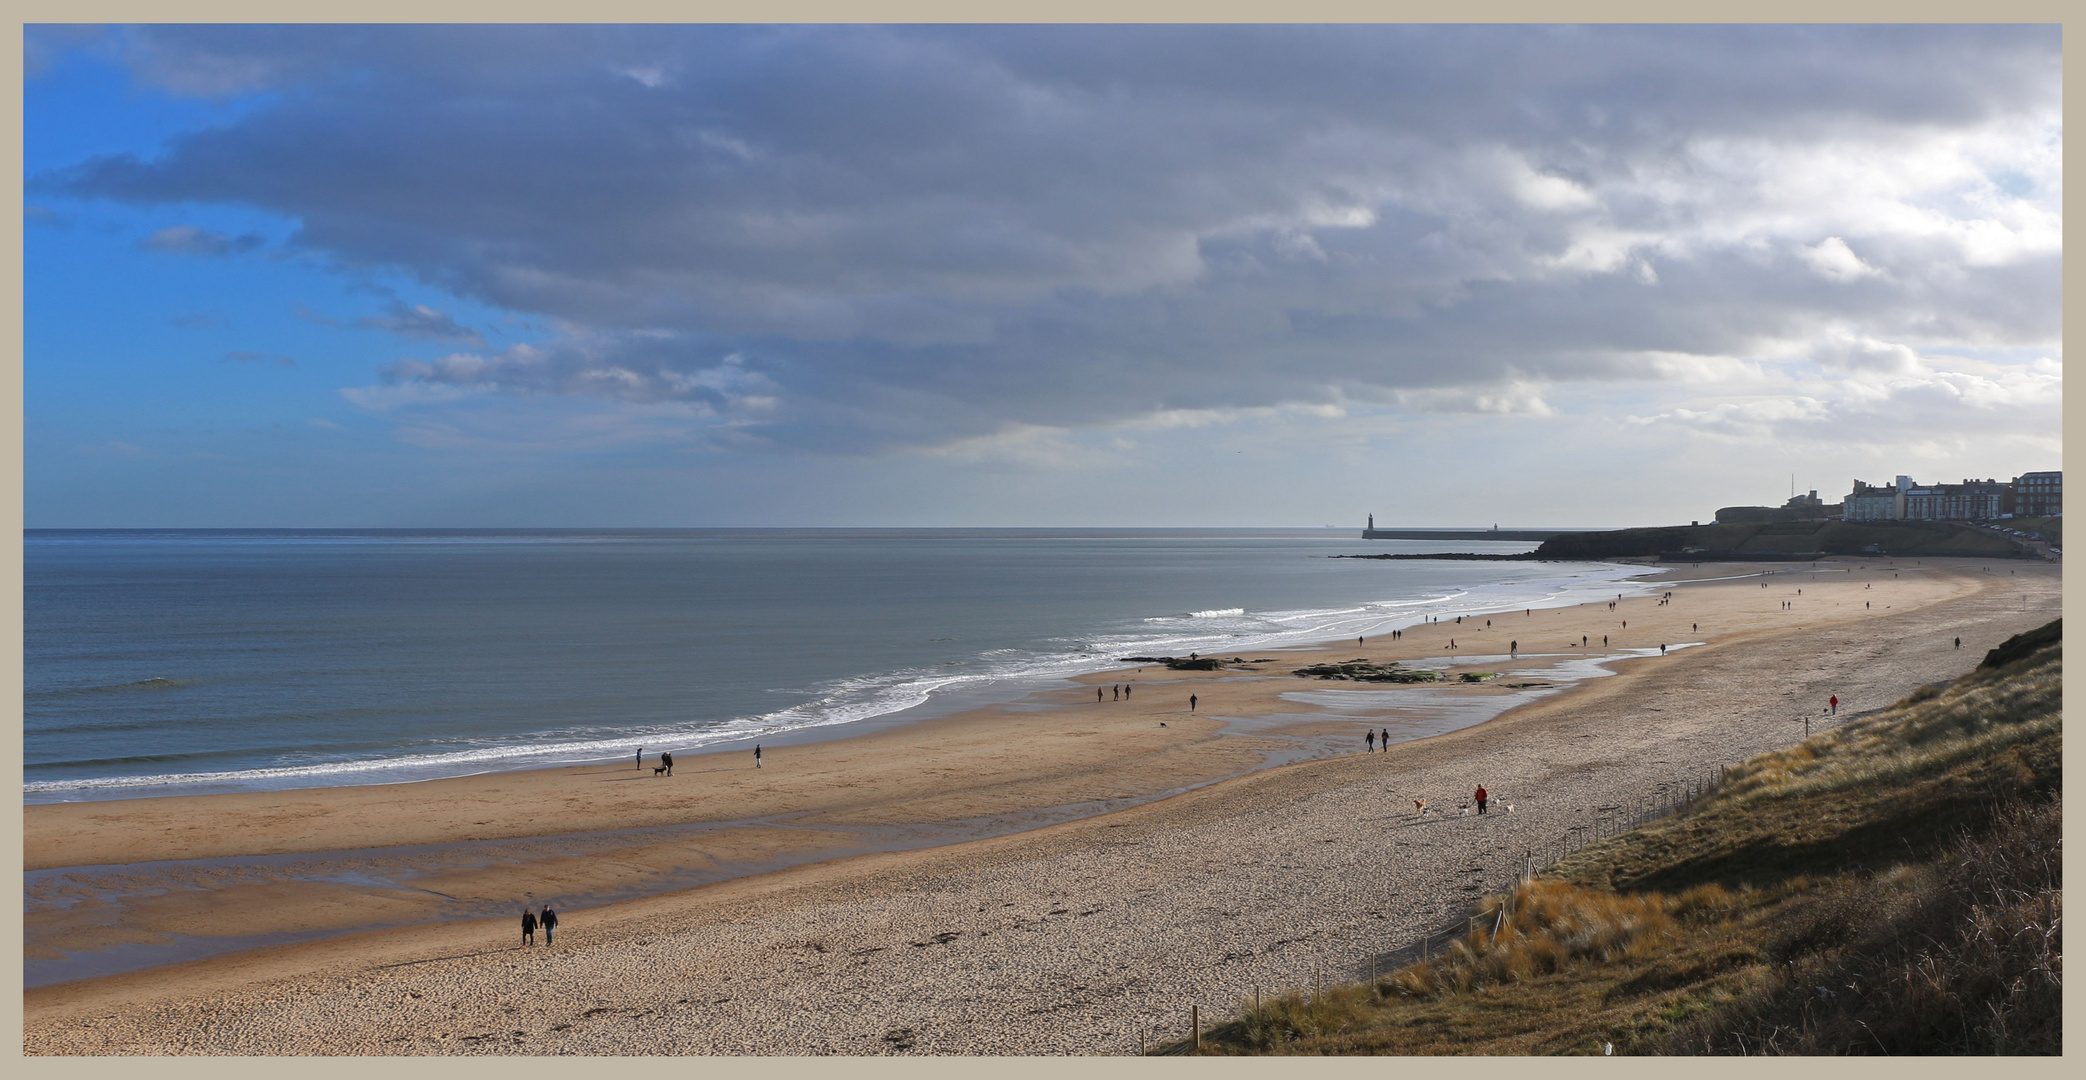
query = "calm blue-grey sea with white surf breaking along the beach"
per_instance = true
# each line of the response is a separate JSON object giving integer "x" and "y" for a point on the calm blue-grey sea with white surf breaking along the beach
{"x": 180, "y": 662}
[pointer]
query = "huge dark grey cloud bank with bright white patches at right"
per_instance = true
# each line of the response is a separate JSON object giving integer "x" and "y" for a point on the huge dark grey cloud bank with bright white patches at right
{"x": 860, "y": 237}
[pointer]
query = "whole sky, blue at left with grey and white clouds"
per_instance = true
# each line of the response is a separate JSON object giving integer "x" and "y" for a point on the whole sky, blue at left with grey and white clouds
{"x": 1029, "y": 276}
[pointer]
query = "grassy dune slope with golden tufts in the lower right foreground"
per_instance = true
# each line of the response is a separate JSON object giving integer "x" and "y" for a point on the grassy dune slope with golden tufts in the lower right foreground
{"x": 1889, "y": 887}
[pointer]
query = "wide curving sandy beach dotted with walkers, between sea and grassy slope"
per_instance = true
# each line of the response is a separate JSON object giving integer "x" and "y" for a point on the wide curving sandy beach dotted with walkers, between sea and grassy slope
{"x": 1059, "y": 875}
